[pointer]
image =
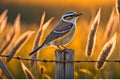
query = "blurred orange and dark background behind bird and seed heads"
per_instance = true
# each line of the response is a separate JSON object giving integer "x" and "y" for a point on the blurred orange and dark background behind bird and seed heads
{"x": 31, "y": 12}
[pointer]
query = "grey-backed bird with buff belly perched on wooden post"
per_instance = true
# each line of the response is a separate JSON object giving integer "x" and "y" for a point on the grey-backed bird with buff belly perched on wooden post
{"x": 63, "y": 33}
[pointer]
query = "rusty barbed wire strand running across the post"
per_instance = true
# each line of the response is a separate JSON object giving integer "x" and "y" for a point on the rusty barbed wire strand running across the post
{"x": 63, "y": 61}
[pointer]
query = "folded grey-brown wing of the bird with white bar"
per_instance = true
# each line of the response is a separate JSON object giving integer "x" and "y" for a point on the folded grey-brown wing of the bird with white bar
{"x": 58, "y": 32}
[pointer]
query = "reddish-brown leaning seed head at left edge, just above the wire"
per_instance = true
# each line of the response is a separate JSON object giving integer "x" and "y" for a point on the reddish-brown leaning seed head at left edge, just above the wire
{"x": 8, "y": 42}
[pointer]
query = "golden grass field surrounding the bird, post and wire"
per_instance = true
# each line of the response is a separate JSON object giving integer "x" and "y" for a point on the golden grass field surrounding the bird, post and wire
{"x": 97, "y": 38}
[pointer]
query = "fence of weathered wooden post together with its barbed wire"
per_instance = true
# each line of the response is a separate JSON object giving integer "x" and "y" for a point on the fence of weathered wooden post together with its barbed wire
{"x": 64, "y": 63}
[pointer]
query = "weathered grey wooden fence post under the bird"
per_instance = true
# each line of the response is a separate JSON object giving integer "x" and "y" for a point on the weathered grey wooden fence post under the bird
{"x": 64, "y": 70}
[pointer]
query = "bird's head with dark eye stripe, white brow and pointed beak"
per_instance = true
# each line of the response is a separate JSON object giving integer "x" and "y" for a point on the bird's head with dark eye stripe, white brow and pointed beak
{"x": 70, "y": 16}
